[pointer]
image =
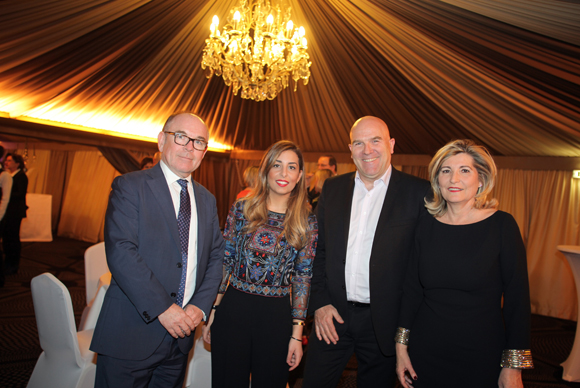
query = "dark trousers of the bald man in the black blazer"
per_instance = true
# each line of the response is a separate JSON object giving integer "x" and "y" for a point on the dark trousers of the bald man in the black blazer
{"x": 325, "y": 363}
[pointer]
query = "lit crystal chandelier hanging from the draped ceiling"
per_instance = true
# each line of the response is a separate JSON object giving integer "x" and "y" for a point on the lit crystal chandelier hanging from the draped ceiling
{"x": 258, "y": 51}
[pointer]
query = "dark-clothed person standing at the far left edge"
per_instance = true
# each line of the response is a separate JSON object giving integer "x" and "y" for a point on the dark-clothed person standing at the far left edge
{"x": 15, "y": 212}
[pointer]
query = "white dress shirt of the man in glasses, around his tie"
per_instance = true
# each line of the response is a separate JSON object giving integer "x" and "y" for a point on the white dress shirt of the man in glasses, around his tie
{"x": 175, "y": 190}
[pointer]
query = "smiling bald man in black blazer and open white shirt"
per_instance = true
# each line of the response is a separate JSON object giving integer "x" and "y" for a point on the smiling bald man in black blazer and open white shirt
{"x": 366, "y": 226}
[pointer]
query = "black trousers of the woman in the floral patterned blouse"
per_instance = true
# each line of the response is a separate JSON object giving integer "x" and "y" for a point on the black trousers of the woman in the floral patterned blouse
{"x": 250, "y": 336}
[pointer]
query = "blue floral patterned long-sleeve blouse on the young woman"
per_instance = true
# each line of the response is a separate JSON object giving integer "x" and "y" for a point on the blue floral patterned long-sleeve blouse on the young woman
{"x": 262, "y": 263}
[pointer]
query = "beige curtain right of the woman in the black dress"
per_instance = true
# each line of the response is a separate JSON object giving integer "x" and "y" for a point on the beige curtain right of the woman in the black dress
{"x": 546, "y": 205}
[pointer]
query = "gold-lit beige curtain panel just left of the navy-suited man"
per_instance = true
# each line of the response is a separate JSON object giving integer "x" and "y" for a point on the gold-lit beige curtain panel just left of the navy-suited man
{"x": 85, "y": 201}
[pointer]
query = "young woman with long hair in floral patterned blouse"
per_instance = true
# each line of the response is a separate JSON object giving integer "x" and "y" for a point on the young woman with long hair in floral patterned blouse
{"x": 263, "y": 298}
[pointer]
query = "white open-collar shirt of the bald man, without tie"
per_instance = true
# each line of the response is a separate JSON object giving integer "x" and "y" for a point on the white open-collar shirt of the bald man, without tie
{"x": 364, "y": 216}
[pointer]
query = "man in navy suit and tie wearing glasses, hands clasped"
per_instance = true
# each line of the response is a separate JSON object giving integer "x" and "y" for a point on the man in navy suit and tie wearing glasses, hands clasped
{"x": 165, "y": 252}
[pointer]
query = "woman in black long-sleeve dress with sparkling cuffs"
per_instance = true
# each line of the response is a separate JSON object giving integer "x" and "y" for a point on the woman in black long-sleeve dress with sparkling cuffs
{"x": 468, "y": 255}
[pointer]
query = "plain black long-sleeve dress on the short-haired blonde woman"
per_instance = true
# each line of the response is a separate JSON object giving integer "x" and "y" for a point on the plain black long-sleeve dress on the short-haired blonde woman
{"x": 452, "y": 301}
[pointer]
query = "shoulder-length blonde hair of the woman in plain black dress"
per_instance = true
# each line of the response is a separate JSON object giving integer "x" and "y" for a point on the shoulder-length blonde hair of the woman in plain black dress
{"x": 483, "y": 163}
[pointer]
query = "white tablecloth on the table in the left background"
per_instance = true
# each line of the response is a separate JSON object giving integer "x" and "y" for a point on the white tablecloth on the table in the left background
{"x": 37, "y": 224}
